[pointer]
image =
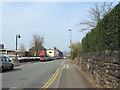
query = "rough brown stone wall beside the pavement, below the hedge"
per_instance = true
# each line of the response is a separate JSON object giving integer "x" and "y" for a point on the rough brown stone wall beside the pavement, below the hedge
{"x": 101, "y": 68}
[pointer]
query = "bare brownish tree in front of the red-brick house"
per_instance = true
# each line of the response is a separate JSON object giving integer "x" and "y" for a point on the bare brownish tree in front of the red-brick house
{"x": 36, "y": 43}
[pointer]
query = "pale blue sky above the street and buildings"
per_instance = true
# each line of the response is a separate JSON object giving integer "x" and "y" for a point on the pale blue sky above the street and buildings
{"x": 51, "y": 20}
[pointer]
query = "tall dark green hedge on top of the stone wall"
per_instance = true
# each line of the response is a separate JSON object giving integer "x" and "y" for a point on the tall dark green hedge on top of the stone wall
{"x": 105, "y": 35}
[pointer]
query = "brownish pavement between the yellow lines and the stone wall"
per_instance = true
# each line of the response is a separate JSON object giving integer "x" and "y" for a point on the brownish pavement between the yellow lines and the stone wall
{"x": 72, "y": 78}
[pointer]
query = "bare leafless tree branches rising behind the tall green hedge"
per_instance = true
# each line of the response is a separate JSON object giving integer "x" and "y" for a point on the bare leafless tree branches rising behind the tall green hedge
{"x": 96, "y": 13}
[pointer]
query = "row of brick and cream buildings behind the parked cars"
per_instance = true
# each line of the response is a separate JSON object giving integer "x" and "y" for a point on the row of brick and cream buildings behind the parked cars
{"x": 41, "y": 51}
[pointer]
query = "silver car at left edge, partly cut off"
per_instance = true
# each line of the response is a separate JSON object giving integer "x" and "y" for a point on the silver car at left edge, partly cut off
{"x": 5, "y": 63}
